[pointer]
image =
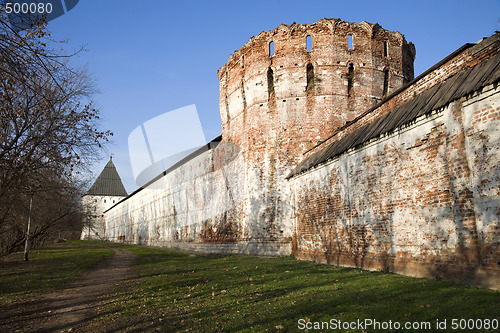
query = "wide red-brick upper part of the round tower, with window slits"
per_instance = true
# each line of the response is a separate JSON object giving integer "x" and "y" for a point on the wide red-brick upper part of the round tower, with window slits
{"x": 336, "y": 67}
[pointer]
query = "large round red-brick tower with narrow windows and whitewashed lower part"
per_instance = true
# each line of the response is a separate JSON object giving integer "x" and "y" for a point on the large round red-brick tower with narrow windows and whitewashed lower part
{"x": 288, "y": 89}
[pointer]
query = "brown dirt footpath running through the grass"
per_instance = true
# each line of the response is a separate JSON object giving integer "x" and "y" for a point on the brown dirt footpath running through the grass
{"x": 68, "y": 309}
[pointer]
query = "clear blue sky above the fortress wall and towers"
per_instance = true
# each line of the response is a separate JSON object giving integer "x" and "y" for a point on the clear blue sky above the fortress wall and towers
{"x": 151, "y": 57}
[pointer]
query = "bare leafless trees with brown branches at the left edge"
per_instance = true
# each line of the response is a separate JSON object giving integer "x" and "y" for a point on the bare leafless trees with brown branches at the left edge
{"x": 48, "y": 130}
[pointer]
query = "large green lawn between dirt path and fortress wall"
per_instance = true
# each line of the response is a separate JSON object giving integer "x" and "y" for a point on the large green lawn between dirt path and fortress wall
{"x": 173, "y": 291}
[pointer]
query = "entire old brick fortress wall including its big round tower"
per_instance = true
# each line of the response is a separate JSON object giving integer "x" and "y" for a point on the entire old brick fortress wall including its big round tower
{"x": 331, "y": 151}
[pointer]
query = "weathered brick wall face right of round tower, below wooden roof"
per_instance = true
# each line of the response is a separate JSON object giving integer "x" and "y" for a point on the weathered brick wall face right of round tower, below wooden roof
{"x": 422, "y": 202}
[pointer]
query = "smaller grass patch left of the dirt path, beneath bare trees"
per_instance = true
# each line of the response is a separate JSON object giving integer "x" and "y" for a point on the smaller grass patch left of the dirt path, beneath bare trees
{"x": 48, "y": 269}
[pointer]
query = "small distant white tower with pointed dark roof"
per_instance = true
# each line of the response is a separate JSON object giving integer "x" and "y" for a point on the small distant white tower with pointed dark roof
{"x": 106, "y": 191}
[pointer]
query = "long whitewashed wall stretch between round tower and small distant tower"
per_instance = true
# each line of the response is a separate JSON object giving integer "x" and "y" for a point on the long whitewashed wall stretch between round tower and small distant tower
{"x": 180, "y": 206}
